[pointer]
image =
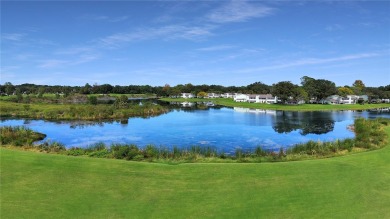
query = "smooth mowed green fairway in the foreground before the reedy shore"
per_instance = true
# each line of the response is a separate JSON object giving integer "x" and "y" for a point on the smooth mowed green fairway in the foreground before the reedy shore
{"x": 36, "y": 185}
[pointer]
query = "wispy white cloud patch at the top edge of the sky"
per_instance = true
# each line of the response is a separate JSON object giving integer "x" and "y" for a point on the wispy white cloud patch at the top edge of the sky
{"x": 238, "y": 11}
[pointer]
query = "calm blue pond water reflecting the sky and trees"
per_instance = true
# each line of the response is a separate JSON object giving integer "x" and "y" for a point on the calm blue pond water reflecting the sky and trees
{"x": 224, "y": 128}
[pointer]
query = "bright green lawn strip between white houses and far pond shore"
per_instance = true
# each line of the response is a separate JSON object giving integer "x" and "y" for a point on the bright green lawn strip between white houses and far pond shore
{"x": 304, "y": 107}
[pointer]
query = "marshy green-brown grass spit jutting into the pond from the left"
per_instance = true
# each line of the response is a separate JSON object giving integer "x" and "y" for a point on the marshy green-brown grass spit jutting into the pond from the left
{"x": 77, "y": 111}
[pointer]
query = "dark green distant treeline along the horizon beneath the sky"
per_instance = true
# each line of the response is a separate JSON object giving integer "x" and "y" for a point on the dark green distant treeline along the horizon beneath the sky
{"x": 309, "y": 88}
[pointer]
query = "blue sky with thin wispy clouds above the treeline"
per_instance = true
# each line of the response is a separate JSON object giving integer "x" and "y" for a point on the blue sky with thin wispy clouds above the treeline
{"x": 198, "y": 42}
